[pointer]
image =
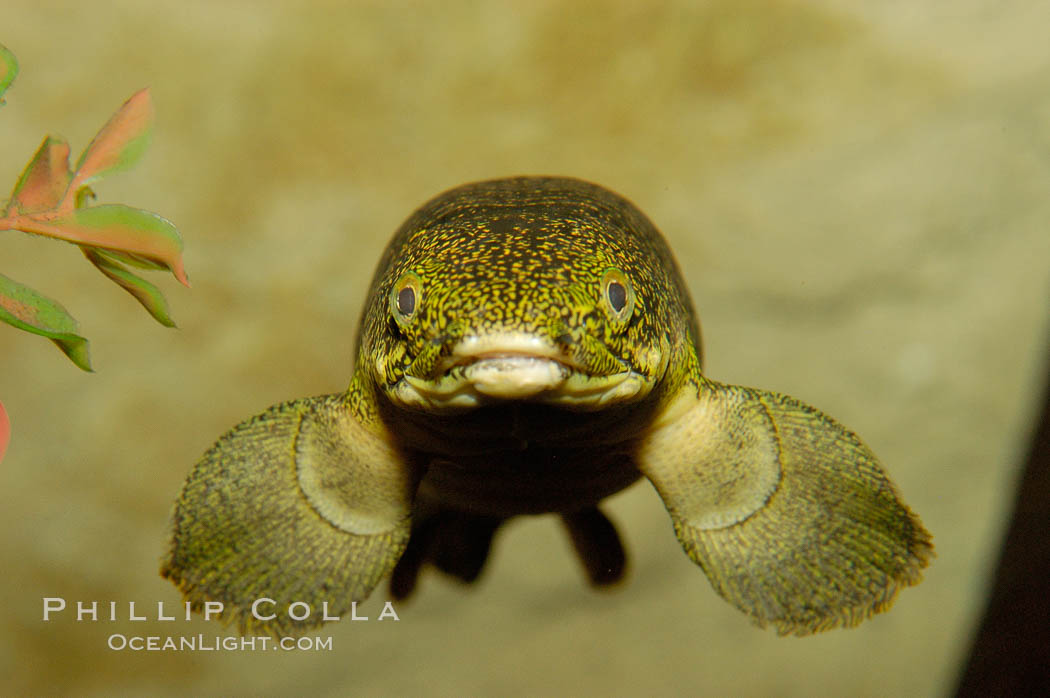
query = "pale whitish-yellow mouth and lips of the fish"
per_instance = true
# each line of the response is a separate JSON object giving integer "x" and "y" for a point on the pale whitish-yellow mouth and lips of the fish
{"x": 493, "y": 369}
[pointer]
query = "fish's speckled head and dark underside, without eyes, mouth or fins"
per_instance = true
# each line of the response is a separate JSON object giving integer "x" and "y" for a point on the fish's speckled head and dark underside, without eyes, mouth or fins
{"x": 528, "y": 255}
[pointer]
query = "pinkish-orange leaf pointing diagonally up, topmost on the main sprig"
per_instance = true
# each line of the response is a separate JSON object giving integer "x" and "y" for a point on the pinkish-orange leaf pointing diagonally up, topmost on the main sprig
{"x": 121, "y": 142}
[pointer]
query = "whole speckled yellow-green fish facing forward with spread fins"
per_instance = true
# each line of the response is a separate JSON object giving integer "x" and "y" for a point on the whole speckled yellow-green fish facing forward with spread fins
{"x": 565, "y": 284}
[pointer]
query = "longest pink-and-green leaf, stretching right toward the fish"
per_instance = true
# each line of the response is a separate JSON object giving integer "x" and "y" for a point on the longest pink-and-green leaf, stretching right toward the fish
{"x": 119, "y": 228}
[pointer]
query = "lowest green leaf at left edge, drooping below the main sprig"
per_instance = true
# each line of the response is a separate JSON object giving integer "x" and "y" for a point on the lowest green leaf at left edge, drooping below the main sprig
{"x": 24, "y": 308}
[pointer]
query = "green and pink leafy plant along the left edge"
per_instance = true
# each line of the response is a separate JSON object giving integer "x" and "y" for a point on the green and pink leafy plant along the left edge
{"x": 53, "y": 200}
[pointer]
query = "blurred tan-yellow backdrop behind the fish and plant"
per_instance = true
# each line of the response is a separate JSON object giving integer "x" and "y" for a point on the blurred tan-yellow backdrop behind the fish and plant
{"x": 857, "y": 194}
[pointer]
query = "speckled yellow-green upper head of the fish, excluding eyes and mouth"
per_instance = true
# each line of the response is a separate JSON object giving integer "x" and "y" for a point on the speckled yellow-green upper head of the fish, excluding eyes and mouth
{"x": 530, "y": 255}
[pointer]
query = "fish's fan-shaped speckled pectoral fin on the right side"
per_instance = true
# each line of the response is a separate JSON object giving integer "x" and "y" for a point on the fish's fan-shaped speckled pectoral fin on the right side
{"x": 788, "y": 513}
